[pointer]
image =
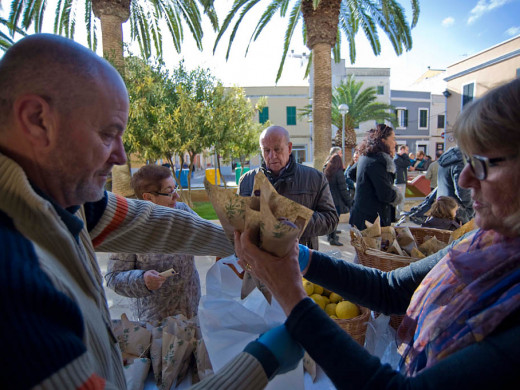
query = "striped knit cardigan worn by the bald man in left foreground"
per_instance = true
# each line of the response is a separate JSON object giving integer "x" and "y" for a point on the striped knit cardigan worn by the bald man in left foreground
{"x": 56, "y": 323}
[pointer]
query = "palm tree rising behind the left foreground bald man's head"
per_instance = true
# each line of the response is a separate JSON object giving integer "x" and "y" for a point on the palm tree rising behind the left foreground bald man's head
{"x": 144, "y": 15}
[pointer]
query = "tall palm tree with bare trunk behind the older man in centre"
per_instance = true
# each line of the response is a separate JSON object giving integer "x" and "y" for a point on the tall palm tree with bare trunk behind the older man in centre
{"x": 324, "y": 23}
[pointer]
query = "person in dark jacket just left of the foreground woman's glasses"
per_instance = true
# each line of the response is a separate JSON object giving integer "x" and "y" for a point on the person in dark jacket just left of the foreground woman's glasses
{"x": 451, "y": 165}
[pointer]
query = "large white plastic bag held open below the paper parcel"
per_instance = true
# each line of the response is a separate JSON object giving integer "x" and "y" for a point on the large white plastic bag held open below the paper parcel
{"x": 229, "y": 323}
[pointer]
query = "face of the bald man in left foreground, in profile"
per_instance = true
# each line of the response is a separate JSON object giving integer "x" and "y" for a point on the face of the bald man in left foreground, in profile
{"x": 89, "y": 143}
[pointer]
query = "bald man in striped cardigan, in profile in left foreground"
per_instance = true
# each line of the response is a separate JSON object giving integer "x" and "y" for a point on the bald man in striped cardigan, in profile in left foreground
{"x": 63, "y": 111}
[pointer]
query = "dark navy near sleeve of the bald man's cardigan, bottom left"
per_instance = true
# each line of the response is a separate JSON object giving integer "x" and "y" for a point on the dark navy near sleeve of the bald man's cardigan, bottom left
{"x": 42, "y": 329}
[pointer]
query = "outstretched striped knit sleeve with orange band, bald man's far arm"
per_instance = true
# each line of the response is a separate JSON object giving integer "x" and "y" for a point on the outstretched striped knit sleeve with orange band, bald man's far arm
{"x": 136, "y": 226}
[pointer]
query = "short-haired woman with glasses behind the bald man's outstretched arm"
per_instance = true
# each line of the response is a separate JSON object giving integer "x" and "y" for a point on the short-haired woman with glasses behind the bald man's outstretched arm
{"x": 138, "y": 275}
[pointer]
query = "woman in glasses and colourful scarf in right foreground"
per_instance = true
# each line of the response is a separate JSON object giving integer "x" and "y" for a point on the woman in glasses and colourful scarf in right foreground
{"x": 462, "y": 324}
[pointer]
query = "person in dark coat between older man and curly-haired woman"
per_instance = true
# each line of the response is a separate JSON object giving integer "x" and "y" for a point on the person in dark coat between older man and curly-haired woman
{"x": 338, "y": 189}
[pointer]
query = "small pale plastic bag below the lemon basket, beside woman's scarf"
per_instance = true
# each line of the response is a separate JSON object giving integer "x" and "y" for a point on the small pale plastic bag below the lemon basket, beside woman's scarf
{"x": 380, "y": 340}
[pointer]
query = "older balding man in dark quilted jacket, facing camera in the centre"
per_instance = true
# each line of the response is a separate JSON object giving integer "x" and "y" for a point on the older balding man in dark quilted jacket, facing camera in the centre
{"x": 304, "y": 185}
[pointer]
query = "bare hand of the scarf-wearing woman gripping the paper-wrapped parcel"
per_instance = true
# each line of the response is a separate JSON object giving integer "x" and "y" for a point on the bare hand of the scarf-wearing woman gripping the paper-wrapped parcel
{"x": 281, "y": 275}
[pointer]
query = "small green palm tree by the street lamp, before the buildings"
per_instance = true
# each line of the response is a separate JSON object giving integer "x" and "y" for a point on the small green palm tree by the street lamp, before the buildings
{"x": 362, "y": 106}
